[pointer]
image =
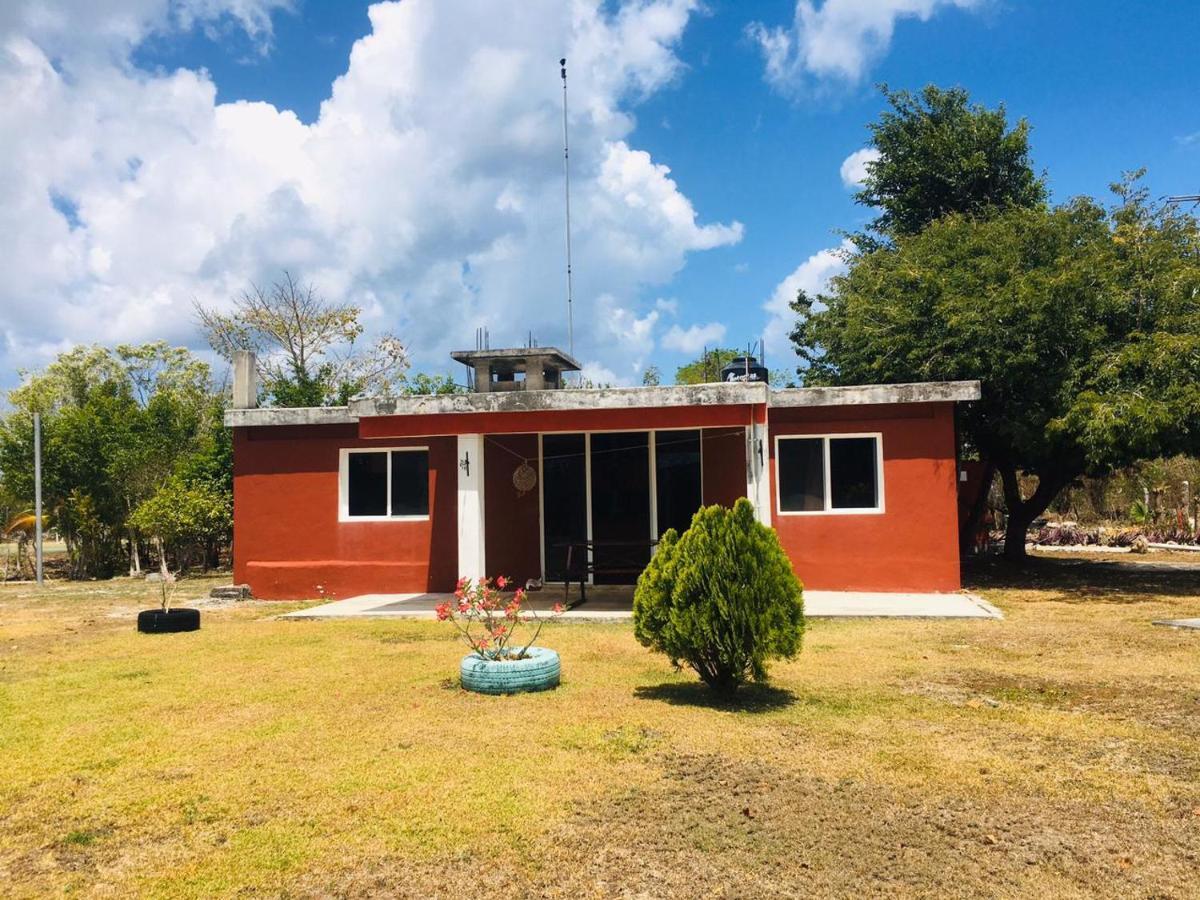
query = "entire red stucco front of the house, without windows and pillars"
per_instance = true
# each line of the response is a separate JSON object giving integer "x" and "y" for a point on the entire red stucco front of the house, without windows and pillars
{"x": 289, "y": 542}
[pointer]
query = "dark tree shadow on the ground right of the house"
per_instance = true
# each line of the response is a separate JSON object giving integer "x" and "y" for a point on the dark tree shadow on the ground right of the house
{"x": 1084, "y": 580}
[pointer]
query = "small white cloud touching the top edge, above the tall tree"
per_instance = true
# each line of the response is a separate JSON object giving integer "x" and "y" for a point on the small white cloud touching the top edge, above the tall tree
{"x": 837, "y": 40}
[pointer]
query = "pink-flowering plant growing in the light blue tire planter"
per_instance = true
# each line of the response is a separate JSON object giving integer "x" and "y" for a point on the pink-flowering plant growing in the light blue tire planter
{"x": 488, "y": 620}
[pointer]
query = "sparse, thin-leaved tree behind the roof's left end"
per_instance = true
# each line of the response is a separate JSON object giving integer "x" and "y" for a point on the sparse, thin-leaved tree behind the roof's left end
{"x": 307, "y": 347}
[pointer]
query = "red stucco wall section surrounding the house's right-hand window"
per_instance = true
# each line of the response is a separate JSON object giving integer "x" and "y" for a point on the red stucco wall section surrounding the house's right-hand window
{"x": 914, "y": 544}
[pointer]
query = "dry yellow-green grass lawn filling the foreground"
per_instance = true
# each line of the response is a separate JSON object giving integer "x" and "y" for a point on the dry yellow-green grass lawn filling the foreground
{"x": 1057, "y": 753}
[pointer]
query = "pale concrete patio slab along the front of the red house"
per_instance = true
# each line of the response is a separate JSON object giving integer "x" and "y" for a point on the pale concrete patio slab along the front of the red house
{"x": 818, "y": 604}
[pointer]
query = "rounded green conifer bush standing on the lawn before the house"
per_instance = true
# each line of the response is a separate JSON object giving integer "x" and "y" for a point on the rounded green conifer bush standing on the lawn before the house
{"x": 722, "y": 599}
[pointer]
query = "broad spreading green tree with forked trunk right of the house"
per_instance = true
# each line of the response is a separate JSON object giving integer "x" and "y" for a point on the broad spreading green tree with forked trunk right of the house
{"x": 1083, "y": 325}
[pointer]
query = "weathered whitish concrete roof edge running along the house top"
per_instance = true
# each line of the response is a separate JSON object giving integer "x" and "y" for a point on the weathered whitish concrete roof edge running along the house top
{"x": 719, "y": 394}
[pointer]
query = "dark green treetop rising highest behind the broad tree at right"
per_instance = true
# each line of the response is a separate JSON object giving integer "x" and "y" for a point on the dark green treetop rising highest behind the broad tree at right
{"x": 938, "y": 155}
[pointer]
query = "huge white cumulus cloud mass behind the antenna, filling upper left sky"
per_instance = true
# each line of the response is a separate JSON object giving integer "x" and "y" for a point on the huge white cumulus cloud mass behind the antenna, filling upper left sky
{"x": 429, "y": 190}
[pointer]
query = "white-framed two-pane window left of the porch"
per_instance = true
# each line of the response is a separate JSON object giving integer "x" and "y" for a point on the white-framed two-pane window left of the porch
{"x": 386, "y": 484}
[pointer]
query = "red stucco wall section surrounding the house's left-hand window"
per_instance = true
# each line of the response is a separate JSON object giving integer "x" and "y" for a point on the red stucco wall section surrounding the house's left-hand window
{"x": 289, "y": 544}
